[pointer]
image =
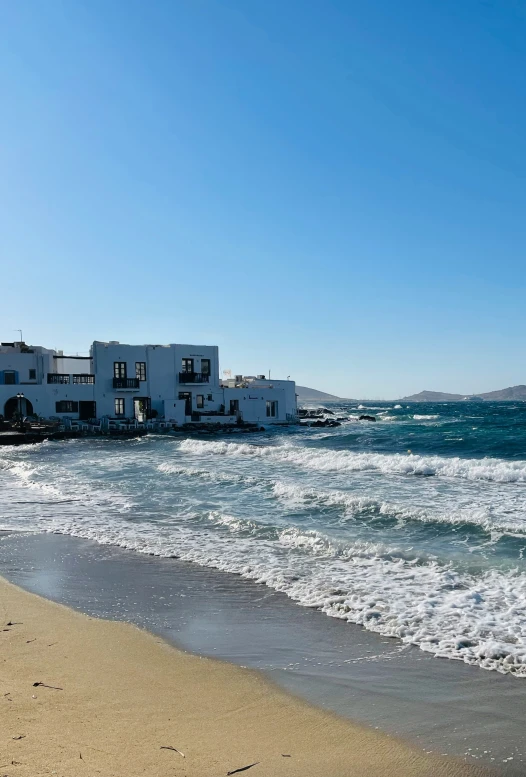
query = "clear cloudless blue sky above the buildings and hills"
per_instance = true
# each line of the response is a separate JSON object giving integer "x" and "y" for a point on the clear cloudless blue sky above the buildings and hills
{"x": 331, "y": 189}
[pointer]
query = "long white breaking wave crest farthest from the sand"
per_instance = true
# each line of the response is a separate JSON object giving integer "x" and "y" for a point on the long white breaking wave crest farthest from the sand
{"x": 494, "y": 470}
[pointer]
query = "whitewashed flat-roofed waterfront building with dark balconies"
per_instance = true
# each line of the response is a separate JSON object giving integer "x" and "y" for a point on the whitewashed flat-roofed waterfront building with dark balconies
{"x": 179, "y": 383}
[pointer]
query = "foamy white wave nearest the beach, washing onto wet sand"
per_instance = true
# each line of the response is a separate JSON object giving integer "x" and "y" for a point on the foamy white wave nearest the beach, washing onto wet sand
{"x": 479, "y": 620}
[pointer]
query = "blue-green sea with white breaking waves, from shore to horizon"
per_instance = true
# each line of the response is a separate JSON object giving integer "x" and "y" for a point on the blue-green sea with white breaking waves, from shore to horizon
{"x": 413, "y": 527}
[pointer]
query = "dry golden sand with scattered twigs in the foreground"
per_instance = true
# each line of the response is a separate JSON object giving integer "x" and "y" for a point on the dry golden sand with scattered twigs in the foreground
{"x": 125, "y": 695}
